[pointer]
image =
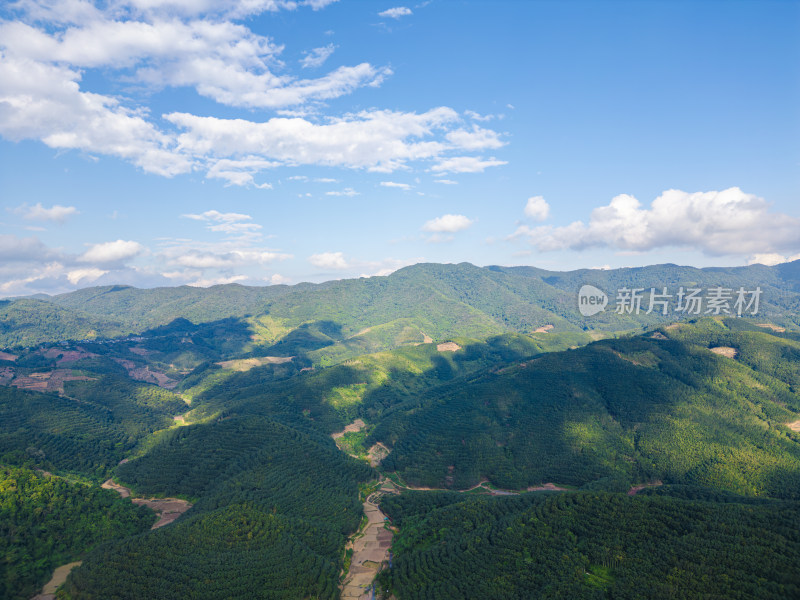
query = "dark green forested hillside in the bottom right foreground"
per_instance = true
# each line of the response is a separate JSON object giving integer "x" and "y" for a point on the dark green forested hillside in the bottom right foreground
{"x": 593, "y": 546}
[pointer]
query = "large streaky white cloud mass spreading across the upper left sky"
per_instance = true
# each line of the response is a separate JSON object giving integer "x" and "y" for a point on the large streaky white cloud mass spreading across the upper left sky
{"x": 207, "y": 47}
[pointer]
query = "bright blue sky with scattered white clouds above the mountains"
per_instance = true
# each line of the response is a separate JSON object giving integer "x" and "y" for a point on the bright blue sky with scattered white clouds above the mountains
{"x": 196, "y": 142}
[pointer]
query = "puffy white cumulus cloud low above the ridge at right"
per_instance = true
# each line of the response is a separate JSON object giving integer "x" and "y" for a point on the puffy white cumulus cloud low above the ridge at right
{"x": 727, "y": 222}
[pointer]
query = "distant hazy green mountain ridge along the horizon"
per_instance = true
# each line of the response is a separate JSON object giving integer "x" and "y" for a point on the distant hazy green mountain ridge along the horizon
{"x": 432, "y": 299}
